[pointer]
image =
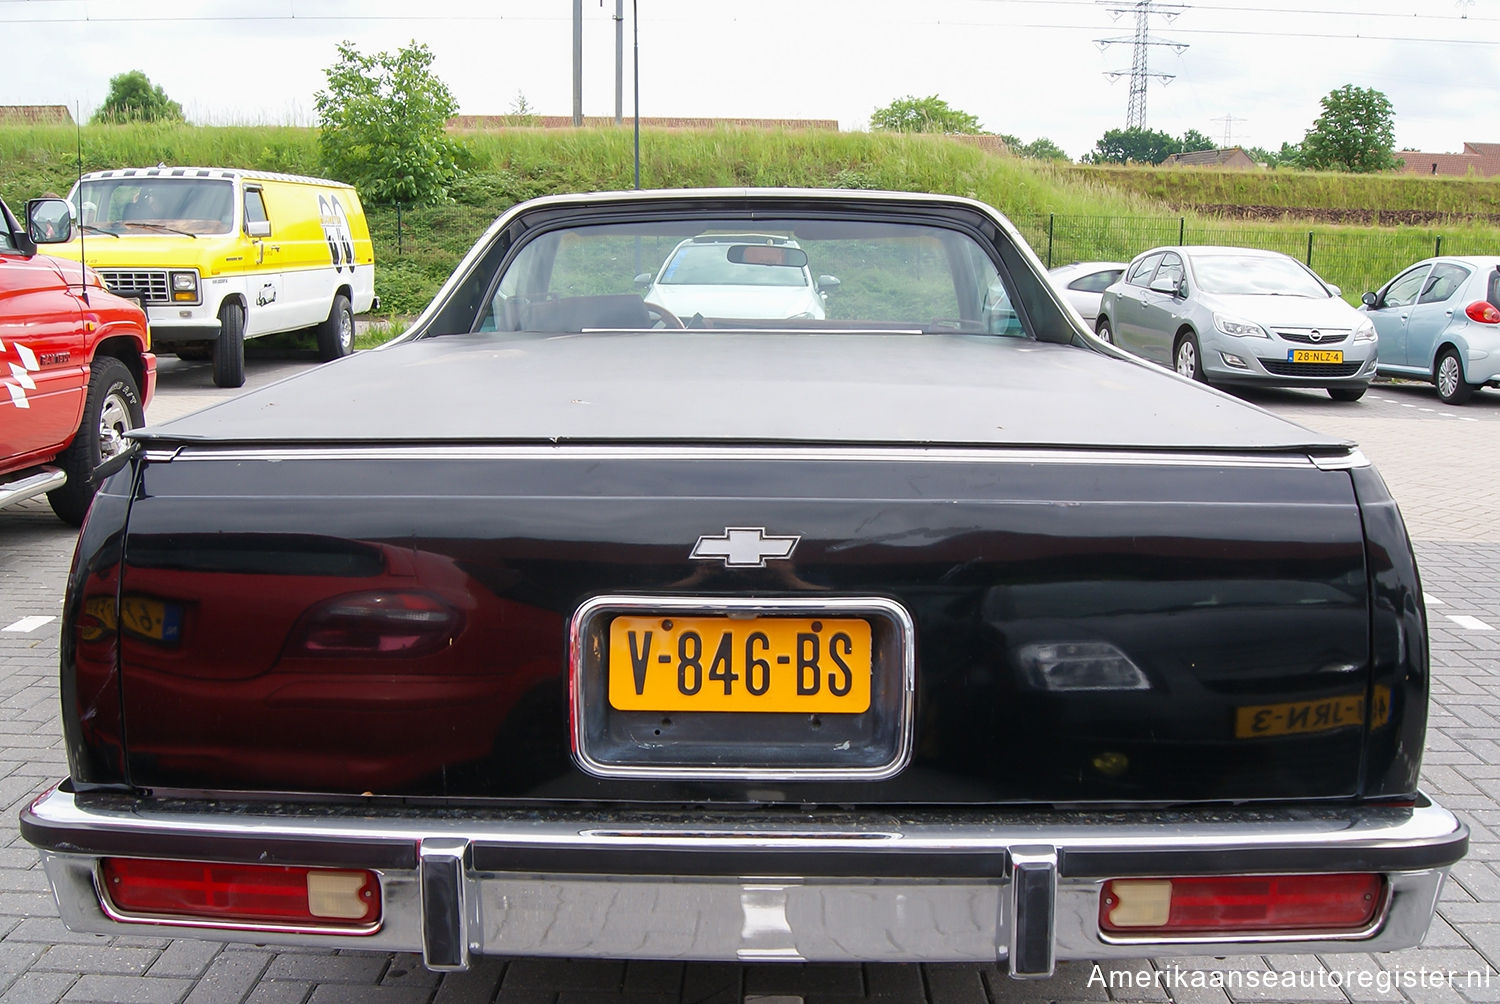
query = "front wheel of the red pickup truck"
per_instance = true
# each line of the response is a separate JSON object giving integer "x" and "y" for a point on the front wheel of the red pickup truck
{"x": 112, "y": 409}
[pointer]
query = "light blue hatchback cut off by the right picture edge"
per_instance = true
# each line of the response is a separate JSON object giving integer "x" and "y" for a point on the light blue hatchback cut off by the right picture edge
{"x": 1441, "y": 320}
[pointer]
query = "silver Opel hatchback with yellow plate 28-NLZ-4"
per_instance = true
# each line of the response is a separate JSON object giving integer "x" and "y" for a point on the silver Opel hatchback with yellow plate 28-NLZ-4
{"x": 1238, "y": 316}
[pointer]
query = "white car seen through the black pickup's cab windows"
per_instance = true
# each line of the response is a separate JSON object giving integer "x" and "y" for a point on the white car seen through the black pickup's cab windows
{"x": 746, "y": 277}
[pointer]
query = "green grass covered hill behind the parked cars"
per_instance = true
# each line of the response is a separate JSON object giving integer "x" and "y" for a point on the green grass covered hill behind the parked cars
{"x": 1067, "y": 212}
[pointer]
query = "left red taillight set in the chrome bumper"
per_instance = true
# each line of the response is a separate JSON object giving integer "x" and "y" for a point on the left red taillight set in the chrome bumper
{"x": 242, "y": 895}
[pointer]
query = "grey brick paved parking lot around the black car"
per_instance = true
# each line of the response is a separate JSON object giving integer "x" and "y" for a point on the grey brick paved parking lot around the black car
{"x": 1438, "y": 464}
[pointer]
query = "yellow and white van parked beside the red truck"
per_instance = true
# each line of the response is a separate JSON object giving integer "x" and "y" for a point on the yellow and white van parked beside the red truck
{"x": 218, "y": 256}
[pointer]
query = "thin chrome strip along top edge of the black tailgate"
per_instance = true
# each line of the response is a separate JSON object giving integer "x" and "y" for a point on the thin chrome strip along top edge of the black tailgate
{"x": 812, "y": 452}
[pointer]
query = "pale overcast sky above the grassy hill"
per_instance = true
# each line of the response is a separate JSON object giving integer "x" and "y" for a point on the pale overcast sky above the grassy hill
{"x": 1252, "y": 74}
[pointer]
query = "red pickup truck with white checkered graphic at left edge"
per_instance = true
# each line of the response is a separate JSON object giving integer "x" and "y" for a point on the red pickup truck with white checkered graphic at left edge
{"x": 76, "y": 370}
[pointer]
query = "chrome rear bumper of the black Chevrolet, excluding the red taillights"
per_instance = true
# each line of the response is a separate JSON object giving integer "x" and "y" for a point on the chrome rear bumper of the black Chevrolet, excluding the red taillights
{"x": 934, "y": 886}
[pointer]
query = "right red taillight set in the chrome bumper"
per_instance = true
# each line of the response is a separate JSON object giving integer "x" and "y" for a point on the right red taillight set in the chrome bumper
{"x": 1240, "y": 904}
